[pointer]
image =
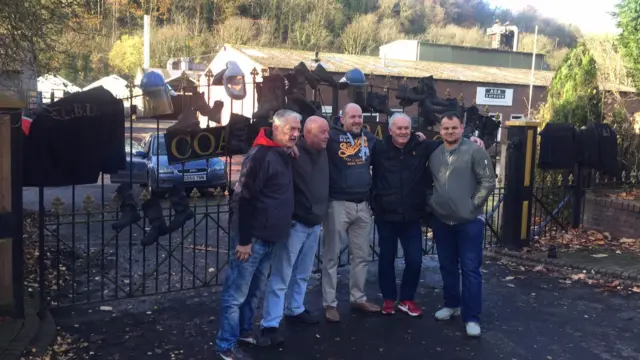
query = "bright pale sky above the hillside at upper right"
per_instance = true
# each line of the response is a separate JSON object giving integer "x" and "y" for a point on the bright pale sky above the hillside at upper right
{"x": 591, "y": 18}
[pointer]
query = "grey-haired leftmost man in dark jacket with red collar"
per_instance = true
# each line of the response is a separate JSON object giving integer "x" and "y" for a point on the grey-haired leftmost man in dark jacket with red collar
{"x": 262, "y": 208}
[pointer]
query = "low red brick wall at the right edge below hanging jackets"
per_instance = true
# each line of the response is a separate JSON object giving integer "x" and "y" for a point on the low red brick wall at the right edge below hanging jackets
{"x": 620, "y": 218}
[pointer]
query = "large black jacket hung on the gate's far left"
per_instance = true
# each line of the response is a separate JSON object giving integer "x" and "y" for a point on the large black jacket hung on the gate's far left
{"x": 74, "y": 139}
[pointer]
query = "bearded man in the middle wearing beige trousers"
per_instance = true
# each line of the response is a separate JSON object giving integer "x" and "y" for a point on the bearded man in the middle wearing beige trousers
{"x": 349, "y": 152}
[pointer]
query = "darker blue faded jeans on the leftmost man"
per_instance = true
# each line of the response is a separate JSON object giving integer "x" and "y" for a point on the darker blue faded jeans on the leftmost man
{"x": 243, "y": 287}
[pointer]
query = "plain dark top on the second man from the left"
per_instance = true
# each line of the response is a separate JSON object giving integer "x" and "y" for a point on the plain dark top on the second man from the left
{"x": 310, "y": 185}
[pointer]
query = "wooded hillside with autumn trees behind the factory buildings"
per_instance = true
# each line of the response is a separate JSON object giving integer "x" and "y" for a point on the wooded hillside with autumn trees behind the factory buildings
{"x": 76, "y": 37}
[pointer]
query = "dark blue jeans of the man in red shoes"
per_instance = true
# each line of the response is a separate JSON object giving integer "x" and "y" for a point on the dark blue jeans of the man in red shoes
{"x": 410, "y": 236}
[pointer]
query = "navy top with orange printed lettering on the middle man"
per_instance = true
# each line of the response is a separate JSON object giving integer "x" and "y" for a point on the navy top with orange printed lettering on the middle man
{"x": 349, "y": 164}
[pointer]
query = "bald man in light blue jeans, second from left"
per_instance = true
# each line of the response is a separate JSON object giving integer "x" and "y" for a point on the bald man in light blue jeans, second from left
{"x": 293, "y": 259}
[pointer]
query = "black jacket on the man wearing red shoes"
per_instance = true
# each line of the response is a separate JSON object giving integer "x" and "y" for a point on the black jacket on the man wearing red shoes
{"x": 401, "y": 179}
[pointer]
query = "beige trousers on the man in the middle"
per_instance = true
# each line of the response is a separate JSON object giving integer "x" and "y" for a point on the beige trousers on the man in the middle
{"x": 353, "y": 220}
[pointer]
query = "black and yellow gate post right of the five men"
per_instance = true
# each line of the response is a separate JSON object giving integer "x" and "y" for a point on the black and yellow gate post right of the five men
{"x": 519, "y": 184}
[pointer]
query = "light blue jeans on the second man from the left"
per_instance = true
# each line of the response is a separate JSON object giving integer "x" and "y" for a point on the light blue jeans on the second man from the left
{"x": 292, "y": 266}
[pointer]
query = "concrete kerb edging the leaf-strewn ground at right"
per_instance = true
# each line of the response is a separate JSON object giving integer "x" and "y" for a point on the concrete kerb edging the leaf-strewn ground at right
{"x": 600, "y": 273}
